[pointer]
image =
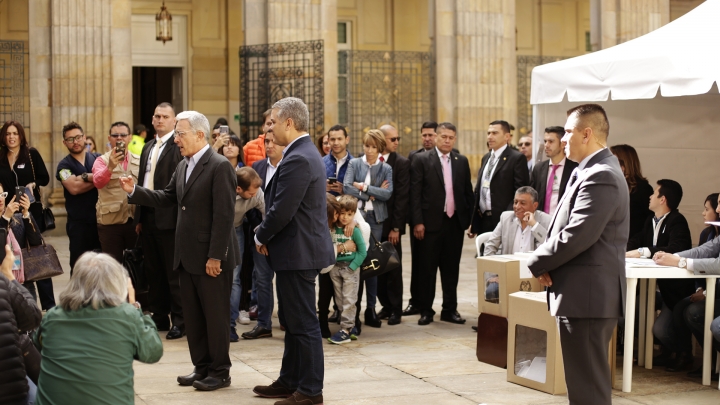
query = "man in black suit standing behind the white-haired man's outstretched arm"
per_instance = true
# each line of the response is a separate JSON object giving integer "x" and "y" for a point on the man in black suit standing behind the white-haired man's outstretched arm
{"x": 158, "y": 160}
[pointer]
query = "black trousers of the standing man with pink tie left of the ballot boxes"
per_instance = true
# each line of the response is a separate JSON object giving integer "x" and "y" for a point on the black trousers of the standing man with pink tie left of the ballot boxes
{"x": 439, "y": 249}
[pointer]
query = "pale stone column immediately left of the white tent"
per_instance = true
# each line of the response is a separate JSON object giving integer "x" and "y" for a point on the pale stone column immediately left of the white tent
{"x": 476, "y": 69}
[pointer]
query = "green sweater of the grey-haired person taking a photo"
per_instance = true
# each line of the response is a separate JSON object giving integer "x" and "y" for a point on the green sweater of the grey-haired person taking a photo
{"x": 87, "y": 354}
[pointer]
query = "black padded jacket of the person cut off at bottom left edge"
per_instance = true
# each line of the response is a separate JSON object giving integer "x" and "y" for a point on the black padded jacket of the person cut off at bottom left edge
{"x": 18, "y": 311}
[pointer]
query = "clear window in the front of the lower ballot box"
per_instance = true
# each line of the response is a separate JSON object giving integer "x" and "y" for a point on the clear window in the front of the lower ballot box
{"x": 530, "y": 353}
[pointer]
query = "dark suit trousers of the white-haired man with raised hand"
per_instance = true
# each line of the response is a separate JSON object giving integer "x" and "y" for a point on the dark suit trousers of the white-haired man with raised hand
{"x": 206, "y": 308}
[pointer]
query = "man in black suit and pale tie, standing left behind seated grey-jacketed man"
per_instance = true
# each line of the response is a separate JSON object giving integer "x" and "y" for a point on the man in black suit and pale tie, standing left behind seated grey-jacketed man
{"x": 503, "y": 171}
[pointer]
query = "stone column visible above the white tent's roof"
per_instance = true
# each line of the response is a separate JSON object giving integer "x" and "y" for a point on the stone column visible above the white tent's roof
{"x": 623, "y": 20}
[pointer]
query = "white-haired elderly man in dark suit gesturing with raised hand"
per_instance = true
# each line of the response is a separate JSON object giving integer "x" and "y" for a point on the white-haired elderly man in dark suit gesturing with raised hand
{"x": 203, "y": 187}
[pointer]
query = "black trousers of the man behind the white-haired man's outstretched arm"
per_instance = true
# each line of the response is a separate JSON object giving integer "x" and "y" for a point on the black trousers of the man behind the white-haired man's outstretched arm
{"x": 163, "y": 282}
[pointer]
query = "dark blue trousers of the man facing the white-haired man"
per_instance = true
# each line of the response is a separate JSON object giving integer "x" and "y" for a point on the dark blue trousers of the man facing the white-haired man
{"x": 303, "y": 367}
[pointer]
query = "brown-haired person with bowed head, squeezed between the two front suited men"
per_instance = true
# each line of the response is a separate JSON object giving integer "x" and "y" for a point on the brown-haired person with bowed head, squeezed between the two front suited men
{"x": 249, "y": 196}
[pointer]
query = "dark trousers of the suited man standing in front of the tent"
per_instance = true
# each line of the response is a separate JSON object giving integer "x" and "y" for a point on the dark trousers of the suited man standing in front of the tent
{"x": 584, "y": 343}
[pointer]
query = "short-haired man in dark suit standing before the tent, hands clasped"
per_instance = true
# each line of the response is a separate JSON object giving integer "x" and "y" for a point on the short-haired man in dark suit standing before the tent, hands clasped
{"x": 582, "y": 262}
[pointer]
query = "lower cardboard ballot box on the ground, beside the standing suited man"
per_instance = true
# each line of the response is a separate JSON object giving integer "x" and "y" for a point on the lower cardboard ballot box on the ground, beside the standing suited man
{"x": 534, "y": 358}
